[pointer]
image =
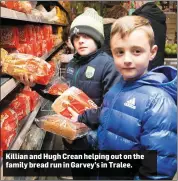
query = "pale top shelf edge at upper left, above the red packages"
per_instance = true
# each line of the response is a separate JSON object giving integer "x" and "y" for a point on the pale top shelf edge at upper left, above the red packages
{"x": 12, "y": 14}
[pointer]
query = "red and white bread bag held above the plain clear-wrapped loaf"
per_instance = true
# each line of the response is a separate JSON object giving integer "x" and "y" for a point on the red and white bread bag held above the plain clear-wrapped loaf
{"x": 75, "y": 99}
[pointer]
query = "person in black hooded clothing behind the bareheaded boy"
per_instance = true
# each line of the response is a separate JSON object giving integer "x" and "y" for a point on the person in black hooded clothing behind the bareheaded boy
{"x": 157, "y": 19}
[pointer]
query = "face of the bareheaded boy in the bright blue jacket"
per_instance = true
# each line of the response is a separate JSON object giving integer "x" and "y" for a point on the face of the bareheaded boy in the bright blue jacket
{"x": 132, "y": 54}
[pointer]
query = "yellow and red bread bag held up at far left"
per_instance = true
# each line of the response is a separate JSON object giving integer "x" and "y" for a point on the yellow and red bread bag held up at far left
{"x": 18, "y": 63}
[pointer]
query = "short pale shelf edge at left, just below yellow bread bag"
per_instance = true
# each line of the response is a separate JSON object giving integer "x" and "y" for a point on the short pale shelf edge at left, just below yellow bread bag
{"x": 7, "y": 85}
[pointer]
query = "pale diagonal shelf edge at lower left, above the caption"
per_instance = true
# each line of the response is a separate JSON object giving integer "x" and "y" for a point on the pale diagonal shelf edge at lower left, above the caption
{"x": 19, "y": 140}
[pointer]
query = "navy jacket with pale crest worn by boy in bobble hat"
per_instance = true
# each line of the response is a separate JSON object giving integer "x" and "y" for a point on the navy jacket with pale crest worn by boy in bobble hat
{"x": 93, "y": 74}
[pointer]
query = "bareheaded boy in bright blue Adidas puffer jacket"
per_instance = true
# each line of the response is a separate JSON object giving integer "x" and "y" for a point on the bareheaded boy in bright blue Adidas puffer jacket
{"x": 140, "y": 111}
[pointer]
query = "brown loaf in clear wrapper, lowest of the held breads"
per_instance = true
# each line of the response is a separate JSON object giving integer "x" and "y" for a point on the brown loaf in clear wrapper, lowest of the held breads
{"x": 62, "y": 126}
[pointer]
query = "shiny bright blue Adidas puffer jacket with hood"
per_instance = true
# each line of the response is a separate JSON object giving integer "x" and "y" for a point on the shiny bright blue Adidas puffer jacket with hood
{"x": 142, "y": 115}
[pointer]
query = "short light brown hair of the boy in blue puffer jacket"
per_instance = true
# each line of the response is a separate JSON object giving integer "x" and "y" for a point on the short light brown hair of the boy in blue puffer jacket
{"x": 127, "y": 24}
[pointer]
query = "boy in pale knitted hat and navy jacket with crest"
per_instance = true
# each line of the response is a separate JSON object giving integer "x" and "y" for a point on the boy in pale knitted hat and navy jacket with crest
{"x": 91, "y": 70}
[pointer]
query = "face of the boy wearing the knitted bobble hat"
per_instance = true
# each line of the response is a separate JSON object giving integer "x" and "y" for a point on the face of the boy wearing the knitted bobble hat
{"x": 84, "y": 44}
